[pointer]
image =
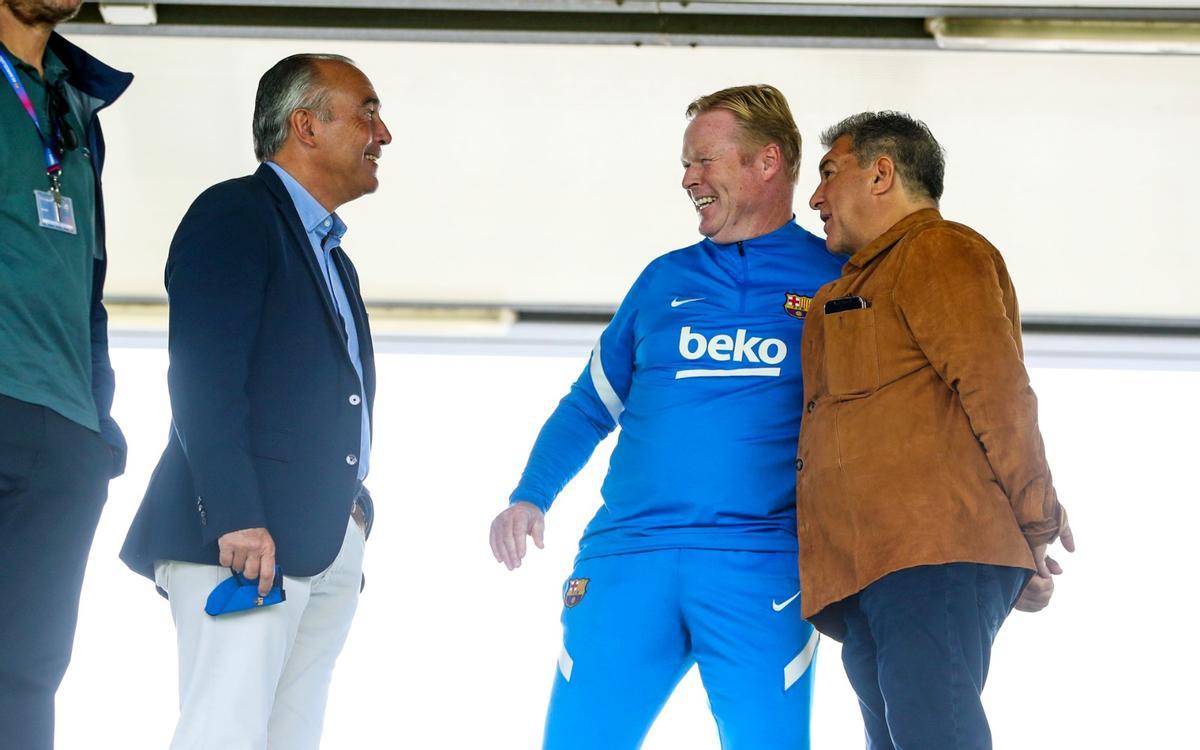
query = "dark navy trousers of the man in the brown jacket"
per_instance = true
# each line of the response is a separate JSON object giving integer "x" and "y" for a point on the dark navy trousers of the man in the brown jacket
{"x": 917, "y": 649}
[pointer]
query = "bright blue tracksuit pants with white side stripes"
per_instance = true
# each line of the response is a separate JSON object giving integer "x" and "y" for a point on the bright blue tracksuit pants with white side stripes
{"x": 634, "y": 625}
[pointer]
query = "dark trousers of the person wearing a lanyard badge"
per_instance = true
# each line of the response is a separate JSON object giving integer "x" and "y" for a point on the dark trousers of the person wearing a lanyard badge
{"x": 53, "y": 484}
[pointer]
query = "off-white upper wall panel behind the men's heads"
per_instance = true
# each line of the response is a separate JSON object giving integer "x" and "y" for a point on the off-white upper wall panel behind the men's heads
{"x": 548, "y": 176}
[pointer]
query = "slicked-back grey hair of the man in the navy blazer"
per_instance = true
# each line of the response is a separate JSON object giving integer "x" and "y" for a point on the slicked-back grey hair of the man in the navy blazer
{"x": 293, "y": 83}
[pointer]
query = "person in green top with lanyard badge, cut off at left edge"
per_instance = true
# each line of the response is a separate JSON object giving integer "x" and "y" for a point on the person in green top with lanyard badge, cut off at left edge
{"x": 59, "y": 445}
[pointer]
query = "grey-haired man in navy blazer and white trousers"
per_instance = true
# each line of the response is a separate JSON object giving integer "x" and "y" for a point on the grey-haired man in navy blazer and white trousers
{"x": 272, "y": 386}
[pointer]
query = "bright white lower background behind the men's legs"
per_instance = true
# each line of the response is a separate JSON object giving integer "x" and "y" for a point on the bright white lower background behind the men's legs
{"x": 451, "y": 651}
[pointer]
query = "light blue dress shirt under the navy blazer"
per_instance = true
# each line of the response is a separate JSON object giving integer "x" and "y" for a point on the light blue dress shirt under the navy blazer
{"x": 326, "y": 233}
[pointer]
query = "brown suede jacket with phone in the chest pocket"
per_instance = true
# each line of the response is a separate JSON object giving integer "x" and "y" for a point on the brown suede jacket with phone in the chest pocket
{"x": 921, "y": 441}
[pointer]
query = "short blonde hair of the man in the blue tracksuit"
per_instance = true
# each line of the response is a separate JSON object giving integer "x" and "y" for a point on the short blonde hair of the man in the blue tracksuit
{"x": 765, "y": 118}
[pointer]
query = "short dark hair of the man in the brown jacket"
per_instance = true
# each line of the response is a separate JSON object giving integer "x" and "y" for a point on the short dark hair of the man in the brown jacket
{"x": 920, "y": 159}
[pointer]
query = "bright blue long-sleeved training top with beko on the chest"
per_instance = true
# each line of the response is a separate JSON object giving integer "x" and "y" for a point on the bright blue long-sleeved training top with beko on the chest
{"x": 701, "y": 369}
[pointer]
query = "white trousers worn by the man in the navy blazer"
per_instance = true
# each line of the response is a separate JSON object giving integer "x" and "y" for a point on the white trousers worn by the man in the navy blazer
{"x": 260, "y": 680}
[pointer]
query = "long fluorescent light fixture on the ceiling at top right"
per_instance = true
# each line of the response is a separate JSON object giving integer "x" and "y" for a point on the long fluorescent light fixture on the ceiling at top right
{"x": 1067, "y": 35}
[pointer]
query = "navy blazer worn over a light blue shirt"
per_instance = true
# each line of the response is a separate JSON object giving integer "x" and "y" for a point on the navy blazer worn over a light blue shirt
{"x": 266, "y": 403}
